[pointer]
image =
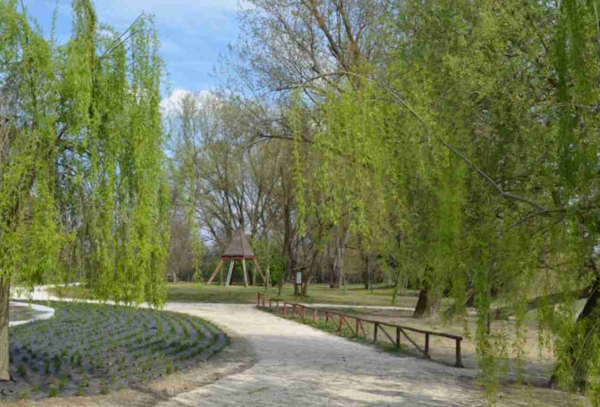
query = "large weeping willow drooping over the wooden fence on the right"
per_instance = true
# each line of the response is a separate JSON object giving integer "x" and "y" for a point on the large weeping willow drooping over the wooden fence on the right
{"x": 476, "y": 146}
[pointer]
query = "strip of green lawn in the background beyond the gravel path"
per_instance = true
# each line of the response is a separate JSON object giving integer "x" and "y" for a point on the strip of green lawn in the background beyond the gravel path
{"x": 350, "y": 295}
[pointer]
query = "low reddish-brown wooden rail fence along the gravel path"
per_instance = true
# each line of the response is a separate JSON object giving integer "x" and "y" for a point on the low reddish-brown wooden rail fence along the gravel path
{"x": 341, "y": 321}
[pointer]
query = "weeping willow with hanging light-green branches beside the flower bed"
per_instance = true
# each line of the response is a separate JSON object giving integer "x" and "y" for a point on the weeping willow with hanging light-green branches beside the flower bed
{"x": 83, "y": 192}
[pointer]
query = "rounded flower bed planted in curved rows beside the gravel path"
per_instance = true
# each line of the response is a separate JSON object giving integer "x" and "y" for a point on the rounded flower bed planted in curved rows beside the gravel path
{"x": 89, "y": 349}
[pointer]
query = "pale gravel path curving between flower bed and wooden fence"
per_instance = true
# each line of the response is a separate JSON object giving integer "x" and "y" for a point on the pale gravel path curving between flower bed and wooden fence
{"x": 298, "y": 365}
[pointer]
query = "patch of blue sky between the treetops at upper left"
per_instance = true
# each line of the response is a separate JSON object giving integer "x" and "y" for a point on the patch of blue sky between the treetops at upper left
{"x": 193, "y": 33}
